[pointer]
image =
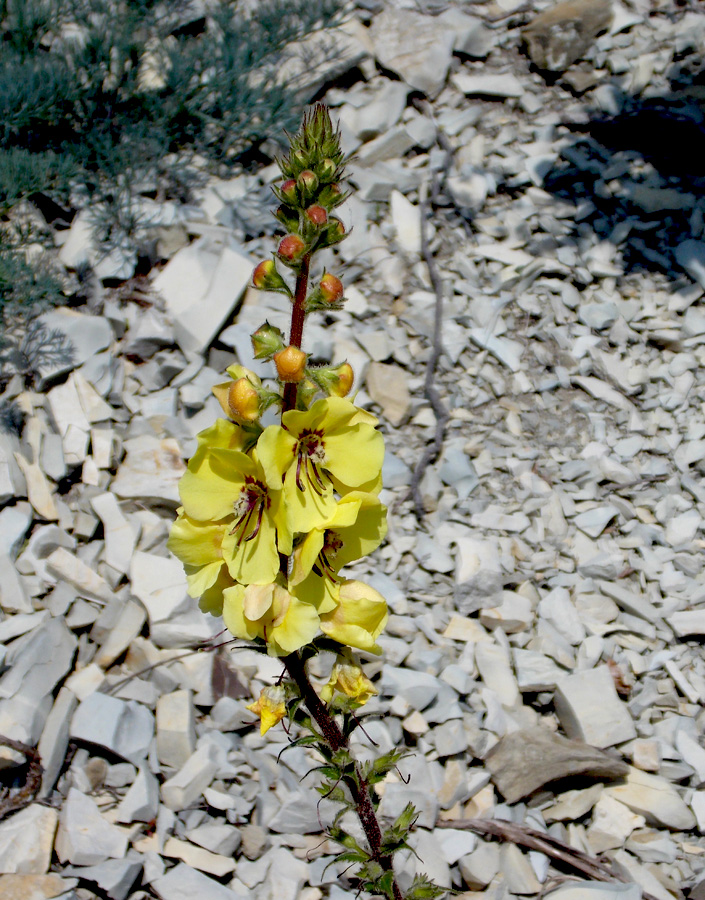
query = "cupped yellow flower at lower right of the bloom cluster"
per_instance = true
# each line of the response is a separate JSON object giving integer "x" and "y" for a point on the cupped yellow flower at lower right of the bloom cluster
{"x": 358, "y": 619}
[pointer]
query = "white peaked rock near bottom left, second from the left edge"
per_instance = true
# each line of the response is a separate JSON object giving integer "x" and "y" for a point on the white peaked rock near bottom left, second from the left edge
{"x": 84, "y": 837}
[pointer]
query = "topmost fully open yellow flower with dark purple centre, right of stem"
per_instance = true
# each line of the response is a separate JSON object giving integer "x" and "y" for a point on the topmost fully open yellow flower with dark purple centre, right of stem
{"x": 333, "y": 445}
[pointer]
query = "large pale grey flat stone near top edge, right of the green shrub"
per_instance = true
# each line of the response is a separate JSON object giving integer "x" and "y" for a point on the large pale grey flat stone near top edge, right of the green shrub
{"x": 417, "y": 47}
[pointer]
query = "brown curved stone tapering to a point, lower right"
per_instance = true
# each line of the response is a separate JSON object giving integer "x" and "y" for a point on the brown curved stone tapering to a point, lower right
{"x": 525, "y": 760}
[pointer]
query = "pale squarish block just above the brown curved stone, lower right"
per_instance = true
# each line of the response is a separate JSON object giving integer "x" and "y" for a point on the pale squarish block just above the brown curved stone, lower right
{"x": 590, "y": 710}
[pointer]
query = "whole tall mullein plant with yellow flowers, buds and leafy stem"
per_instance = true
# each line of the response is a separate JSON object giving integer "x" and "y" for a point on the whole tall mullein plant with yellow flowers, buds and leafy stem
{"x": 270, "y": 516}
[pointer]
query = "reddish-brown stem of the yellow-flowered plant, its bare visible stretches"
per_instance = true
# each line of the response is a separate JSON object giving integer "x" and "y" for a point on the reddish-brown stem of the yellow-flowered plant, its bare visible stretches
{"x": 334, "y": 737}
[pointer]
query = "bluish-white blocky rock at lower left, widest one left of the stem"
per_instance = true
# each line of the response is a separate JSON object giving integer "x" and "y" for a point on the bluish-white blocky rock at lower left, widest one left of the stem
{"x": 125, "y": 727}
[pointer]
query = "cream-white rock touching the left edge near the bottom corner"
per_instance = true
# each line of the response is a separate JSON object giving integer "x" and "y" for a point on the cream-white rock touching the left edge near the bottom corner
{"x": 27, "y": 839}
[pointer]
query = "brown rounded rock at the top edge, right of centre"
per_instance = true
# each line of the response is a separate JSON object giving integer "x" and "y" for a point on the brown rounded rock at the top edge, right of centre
{"x": 560, "y": 35}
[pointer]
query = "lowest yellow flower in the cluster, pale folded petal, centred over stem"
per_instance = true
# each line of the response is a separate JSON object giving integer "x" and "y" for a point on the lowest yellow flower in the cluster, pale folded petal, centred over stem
{"x": 270, "y": 612}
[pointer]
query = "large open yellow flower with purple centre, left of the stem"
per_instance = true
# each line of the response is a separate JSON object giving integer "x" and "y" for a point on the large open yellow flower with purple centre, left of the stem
{"x": 227, "y": 488}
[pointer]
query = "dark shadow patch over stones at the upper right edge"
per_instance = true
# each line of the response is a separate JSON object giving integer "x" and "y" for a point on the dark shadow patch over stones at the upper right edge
{"x": 637, "y": 176}
